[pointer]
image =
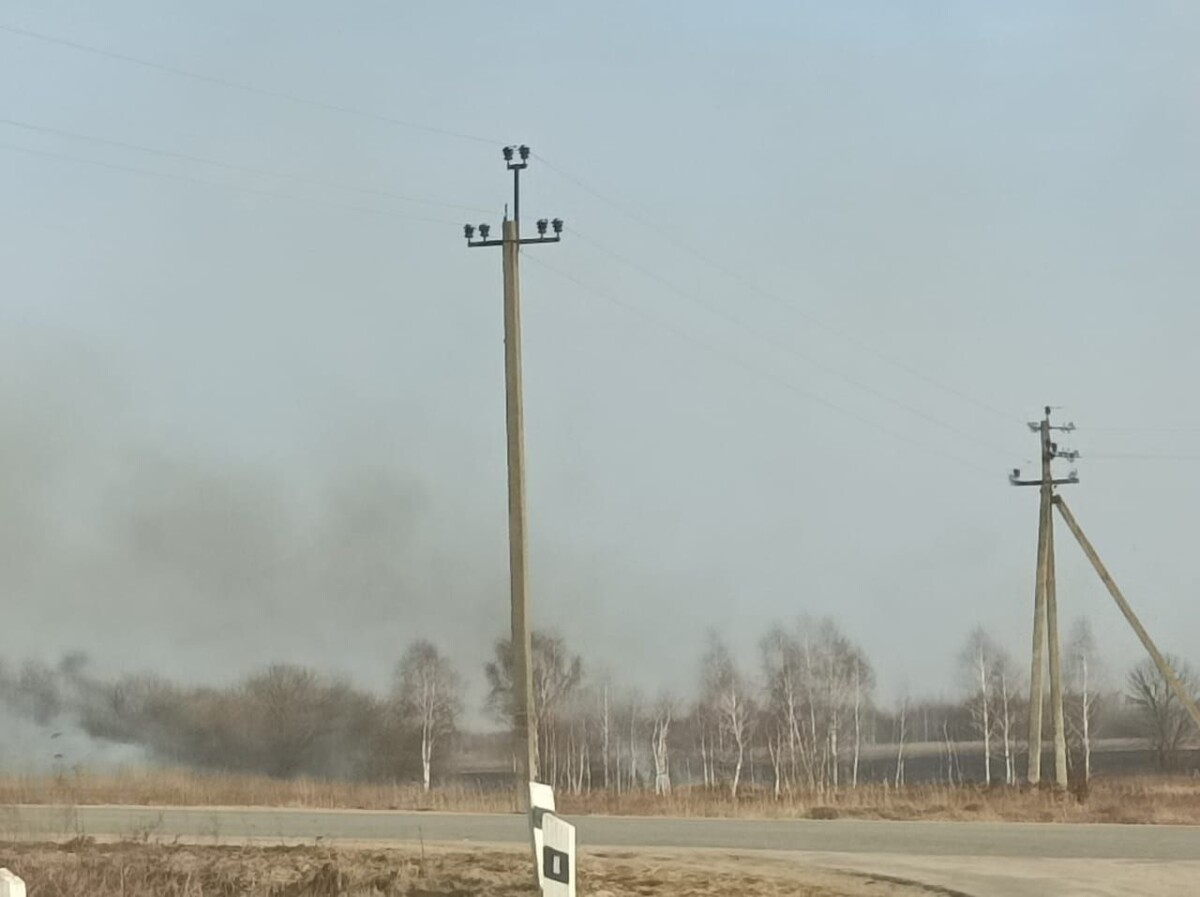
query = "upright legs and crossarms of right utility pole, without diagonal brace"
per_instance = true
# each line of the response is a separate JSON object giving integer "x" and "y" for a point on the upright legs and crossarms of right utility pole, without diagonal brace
{"x": 1046, "y": 611}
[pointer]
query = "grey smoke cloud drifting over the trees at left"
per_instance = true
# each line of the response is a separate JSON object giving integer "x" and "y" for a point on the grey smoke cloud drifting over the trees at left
{"x": 209, "y": 565}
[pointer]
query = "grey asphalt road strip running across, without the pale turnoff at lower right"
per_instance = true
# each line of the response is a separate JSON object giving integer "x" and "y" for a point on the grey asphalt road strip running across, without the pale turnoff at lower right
{"x": 943, "y": 840}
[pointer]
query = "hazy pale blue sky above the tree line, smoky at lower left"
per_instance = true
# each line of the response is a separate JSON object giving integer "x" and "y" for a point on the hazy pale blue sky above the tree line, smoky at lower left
{"x": 254, "y": 418}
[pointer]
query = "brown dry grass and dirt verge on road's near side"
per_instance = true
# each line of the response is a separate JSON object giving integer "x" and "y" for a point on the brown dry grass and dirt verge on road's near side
{"x": 145, "y": 870}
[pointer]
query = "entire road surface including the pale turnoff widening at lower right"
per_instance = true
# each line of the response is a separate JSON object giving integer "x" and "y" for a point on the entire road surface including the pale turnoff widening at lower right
{"x": 980, "y": 859}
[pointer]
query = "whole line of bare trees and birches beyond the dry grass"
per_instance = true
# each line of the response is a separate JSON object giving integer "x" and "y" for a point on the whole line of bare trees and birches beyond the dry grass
{"x": 803, "y": 719}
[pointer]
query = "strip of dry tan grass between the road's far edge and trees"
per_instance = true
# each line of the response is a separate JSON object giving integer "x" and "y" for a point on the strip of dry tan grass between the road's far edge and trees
{"x": 1112, "y": 800}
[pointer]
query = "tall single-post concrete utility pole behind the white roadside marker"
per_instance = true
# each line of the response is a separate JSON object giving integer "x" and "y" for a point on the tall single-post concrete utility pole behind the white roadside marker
{"x": 525, "y": 721}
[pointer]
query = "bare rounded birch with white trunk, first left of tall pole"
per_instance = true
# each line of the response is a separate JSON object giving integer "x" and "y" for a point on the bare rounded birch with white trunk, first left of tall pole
{"x": 428, "y": 693}
